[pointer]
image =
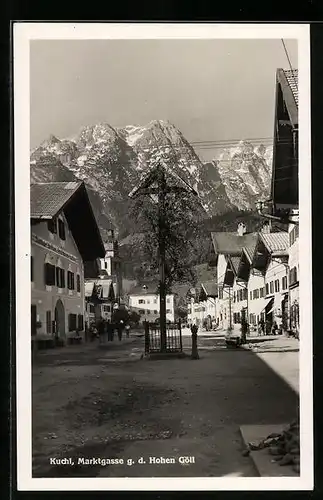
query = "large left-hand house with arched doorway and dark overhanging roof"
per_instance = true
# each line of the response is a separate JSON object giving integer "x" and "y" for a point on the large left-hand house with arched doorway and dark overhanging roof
{"x": 58, "y": 251}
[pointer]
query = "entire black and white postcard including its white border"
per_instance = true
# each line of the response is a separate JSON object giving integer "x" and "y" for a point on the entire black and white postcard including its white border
{"x": 163, "y": 256}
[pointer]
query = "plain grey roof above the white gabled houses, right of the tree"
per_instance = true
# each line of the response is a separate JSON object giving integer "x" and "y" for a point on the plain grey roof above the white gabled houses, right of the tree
{"x": 229, "y": 243}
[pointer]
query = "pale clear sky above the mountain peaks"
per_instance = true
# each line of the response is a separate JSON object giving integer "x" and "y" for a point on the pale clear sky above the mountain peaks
{"x": 212, "y": 90}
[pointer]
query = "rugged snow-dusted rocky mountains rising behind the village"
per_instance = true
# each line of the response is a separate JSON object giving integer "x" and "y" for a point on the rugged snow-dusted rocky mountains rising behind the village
{"x": 112, "y": 160}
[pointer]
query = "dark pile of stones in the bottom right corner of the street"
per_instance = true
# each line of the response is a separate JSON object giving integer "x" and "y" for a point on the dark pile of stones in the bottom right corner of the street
{"x": 284, "y": 446}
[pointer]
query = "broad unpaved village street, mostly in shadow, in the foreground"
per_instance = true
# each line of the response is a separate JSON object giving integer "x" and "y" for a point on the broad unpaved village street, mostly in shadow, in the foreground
{"x": 108, "y": 402}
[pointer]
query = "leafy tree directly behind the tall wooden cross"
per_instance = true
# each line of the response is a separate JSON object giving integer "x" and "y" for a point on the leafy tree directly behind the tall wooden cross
{"x": 182, "y": 216}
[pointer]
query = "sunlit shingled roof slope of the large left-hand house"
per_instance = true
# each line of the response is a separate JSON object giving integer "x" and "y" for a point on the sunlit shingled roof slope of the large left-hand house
{"x": 47, "y": 199}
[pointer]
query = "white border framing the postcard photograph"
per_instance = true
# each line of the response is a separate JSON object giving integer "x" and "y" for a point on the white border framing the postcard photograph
{"x": 23, "y": 33}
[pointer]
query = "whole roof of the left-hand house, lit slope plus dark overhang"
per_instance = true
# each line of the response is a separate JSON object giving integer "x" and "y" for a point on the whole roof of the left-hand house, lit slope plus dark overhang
{"x": 48, "y": 199}
